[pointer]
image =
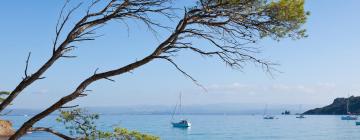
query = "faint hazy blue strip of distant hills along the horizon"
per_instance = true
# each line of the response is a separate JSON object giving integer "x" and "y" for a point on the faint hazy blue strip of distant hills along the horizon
{"x": 219, "y": 109}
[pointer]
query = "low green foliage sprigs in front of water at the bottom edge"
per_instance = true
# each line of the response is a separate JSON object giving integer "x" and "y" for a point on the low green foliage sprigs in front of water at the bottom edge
{"x": 81, "y": 123}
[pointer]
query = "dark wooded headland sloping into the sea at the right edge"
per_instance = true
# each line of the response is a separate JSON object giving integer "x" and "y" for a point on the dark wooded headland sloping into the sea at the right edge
{"x": 338, "y": 107}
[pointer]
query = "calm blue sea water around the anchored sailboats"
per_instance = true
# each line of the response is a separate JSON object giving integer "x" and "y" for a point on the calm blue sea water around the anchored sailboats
{"x": 215, "y": 127}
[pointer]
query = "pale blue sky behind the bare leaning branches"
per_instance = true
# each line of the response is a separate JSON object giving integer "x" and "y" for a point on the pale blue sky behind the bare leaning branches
{"x": 314, "y": 70}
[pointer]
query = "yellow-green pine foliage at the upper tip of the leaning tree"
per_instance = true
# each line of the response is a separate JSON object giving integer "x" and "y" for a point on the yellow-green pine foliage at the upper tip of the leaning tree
{"x": 276, "y": 18}
